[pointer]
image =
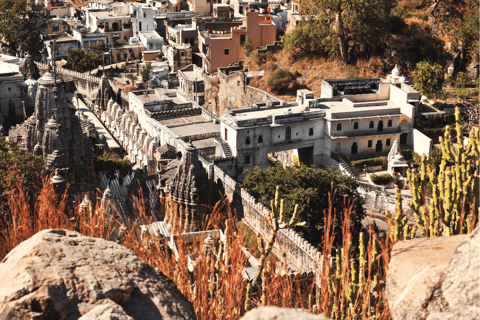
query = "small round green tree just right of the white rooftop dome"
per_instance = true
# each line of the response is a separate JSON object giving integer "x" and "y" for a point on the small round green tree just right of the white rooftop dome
{"x": 427, "y": 78}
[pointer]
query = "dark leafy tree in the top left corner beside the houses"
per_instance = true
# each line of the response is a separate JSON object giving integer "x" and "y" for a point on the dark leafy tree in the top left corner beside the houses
{"x": 20, "y": 26}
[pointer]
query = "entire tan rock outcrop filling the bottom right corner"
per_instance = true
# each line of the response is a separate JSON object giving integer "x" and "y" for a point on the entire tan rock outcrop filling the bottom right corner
{"x": 435, "y": 279}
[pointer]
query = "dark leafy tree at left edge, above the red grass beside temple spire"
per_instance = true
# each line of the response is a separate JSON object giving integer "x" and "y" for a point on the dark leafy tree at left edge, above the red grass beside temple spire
{"x": 30, "y": 167}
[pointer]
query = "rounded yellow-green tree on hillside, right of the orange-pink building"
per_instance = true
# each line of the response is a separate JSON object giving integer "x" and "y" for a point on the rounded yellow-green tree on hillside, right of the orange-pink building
{"x": 310, "y": 37}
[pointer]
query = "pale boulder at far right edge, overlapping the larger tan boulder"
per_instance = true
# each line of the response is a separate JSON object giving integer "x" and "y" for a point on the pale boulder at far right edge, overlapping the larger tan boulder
{"x": 461, "y": 287}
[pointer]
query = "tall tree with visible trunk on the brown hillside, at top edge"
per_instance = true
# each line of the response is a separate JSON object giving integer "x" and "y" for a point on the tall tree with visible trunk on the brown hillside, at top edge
{"x": 364, "y": 22}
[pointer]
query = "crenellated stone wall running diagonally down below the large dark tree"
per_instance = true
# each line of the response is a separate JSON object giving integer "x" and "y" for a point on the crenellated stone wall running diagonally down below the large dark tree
{"x": 300, "y": 253}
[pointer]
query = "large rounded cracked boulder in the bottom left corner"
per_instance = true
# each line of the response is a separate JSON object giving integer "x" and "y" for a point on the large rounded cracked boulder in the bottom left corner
{"x": 60, "y": 274}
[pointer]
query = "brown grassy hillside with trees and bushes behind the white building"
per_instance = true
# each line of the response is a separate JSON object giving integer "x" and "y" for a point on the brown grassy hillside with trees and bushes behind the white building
{"x": 336, "y": 39}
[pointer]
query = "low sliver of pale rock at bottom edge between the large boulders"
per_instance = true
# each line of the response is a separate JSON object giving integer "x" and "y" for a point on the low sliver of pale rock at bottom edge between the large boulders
{"x": 275, "y": 313}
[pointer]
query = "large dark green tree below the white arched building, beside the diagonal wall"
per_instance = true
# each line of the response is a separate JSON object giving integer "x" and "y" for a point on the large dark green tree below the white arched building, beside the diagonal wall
{"x": 308, "y": 187}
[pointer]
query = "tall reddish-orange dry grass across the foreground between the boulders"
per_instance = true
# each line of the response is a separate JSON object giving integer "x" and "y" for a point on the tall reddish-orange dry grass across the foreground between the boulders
{"x": 350, "y": 278}
